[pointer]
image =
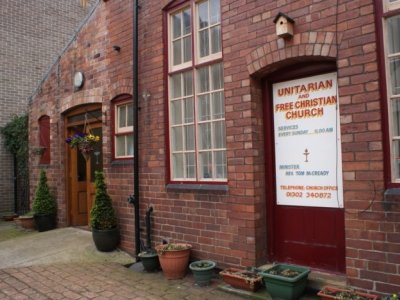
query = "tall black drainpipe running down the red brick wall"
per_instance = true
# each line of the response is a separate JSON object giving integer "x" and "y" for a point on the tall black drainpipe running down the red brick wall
{"x": 134, "y": 199}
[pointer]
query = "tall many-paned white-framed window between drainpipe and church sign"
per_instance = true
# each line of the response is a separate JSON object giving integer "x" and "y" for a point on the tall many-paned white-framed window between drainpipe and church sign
{"x": 196, "y": 94}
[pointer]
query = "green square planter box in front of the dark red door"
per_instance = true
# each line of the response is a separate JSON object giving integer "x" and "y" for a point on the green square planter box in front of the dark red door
{"x": 285, "y": 287}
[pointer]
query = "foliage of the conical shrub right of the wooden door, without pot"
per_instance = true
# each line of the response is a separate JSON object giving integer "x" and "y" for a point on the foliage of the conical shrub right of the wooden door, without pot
{"x": 102, "y": 214}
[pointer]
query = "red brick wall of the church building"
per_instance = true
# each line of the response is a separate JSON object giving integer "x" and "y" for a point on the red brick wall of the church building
{"x": 230, "y": 227}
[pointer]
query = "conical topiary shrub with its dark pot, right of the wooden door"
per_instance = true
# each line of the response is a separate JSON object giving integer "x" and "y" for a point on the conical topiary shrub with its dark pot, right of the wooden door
{"x": 103, "y": 221}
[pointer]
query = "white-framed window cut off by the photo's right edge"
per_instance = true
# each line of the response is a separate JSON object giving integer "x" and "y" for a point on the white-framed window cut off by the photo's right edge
{"x": 391, "y": 27}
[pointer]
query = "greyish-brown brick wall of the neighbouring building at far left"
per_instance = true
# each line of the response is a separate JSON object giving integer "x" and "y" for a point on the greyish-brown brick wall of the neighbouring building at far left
{"x": 32, "y": 33}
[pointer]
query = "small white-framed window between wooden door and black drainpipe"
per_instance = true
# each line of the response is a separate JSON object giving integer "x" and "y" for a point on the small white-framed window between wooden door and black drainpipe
{"x": 123, "y": 138}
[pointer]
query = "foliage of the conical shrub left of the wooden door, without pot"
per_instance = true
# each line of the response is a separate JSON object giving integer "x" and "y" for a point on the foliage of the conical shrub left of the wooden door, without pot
{"x": 43, "y": 202}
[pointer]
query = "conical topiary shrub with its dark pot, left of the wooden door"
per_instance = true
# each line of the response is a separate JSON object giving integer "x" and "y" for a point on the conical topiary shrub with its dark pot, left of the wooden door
{"x": 44, "y": 205}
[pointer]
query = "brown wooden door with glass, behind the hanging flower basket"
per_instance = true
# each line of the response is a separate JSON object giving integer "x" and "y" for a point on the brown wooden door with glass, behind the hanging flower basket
{"x": 80, "y": 172}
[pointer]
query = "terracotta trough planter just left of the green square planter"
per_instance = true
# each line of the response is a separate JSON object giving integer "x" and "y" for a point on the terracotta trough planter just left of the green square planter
{"x": 241, "y": 279}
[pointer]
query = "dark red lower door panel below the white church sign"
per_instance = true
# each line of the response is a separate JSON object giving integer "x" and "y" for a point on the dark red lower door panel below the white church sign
{"x": 310, "y": 236}
